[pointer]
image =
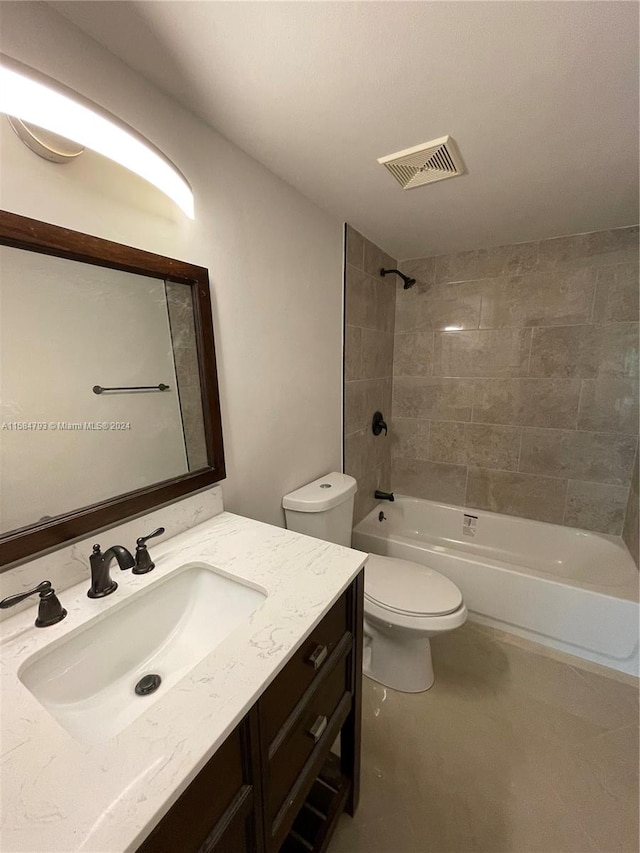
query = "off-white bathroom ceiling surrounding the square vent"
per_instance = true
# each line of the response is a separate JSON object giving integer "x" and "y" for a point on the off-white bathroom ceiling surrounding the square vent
{"x": 541, "y": 97}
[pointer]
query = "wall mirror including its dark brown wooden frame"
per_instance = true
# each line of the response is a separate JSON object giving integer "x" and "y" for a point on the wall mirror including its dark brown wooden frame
{"x": 108, "y": 386}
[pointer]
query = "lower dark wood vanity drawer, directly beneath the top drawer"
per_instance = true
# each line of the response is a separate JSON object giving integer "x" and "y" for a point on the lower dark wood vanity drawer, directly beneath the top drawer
{"x": 311, "y": 729}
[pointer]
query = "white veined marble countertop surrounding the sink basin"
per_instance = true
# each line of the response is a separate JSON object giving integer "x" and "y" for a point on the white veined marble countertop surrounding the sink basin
{"x": 59, "y": 794}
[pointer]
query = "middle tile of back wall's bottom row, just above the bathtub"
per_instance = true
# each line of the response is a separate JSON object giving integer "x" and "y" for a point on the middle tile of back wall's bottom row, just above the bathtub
{"x": 525, "y": 495}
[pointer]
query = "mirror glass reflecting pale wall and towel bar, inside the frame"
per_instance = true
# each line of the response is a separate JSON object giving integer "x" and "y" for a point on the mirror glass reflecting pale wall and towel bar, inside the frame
{"x": 66, "y": 326}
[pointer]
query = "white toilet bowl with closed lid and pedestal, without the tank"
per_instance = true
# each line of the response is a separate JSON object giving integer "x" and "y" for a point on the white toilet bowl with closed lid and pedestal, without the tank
{"x": 405, "y": 604}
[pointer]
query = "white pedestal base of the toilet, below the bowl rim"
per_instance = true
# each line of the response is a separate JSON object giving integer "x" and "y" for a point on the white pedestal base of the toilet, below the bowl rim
{"x": 402, "y": 664}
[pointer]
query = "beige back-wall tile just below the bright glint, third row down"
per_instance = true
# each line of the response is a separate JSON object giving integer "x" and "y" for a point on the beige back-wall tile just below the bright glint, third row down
{"x": 489, "y": 352}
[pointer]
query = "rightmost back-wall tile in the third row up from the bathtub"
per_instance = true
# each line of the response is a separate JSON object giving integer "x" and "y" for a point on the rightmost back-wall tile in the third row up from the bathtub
{"x": 609, "y": 404}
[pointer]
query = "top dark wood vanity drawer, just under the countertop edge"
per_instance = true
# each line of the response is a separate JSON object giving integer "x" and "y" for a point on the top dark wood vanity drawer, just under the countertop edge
{"x": 308, "y": 662}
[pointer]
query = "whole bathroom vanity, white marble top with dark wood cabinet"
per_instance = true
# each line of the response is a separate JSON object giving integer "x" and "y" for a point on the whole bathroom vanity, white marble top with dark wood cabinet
{"x": 236, "y": 754}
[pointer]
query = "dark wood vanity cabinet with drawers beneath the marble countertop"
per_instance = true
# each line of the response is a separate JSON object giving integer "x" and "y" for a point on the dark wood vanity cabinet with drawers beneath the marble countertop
{"x": 275, "y": 785}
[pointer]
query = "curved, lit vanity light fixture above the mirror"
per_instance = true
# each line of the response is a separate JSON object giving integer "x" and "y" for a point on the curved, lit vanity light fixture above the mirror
{"x": 31, "y": 98}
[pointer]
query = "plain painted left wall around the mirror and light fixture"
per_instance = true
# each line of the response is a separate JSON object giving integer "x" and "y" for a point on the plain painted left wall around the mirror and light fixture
{"x": 274, "y": 258}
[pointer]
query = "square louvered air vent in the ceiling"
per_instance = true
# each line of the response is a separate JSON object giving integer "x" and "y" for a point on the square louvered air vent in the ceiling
{"x": 424, "y": 164}
